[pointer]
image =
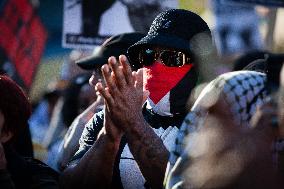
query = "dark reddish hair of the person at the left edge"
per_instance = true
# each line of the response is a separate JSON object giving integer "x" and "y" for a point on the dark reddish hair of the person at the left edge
{"x": 14, "y": 105}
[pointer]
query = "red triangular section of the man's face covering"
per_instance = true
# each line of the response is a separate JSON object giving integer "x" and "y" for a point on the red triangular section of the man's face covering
{"x": 160, "y": 79}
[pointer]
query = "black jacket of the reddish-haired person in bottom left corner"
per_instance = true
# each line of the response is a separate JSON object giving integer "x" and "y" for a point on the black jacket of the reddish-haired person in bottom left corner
{"x": 26, "y": 172}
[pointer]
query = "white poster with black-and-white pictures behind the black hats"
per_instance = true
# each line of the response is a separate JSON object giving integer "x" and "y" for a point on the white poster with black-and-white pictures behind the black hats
{"x": 88, "y": 23}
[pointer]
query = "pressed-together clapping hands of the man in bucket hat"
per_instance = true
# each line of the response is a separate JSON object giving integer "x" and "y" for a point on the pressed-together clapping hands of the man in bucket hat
{"x": 123, "y": 92}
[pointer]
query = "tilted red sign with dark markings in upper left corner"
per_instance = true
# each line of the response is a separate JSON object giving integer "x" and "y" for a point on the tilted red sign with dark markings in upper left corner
{"x": 22, "y": 37}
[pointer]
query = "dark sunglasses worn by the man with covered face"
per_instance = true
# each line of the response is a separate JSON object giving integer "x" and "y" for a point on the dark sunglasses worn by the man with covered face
{"x": 169, "y": 58}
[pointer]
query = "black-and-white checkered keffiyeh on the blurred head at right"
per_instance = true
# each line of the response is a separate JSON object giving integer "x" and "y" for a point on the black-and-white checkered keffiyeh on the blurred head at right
{"x": 243, "y": 90}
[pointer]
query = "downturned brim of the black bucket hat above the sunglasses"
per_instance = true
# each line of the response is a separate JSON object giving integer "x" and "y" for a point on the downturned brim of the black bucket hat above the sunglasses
{"x": 163, "y": 40}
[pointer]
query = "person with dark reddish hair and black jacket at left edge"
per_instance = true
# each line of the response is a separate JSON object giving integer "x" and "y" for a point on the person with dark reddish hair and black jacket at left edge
{"x": 15, "y": 170}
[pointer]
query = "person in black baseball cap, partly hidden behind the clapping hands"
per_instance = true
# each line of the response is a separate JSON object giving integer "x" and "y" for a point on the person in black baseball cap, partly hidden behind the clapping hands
{"x": 115, "y": 45}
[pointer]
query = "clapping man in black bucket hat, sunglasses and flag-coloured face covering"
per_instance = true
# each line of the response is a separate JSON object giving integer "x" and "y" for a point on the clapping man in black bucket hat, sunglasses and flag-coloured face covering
{"x": 137, "y": 142}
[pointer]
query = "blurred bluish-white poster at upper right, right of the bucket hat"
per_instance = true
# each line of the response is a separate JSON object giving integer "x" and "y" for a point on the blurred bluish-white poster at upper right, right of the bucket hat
{"x": 236, "y": 28}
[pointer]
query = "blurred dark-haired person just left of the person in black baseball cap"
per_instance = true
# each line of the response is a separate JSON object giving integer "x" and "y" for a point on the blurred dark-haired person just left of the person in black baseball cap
{"x": 75, "y": 98}
